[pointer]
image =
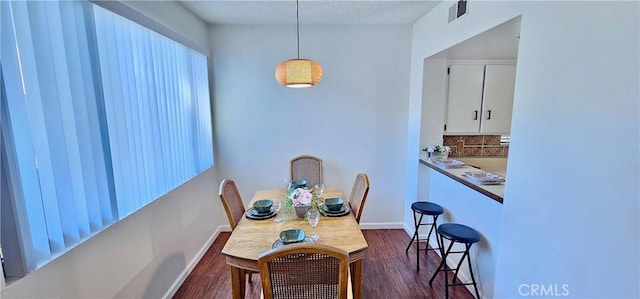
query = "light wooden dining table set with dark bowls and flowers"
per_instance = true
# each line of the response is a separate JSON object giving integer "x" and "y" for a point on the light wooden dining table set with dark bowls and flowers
{"x": 251, "y": 237}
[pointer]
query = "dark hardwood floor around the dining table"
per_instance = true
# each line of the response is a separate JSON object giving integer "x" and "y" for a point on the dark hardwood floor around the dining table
{"x": 388, "y": 272}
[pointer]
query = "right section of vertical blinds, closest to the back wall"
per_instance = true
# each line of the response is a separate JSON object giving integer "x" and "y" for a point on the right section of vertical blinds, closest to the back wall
{"x": 158, "y": 112}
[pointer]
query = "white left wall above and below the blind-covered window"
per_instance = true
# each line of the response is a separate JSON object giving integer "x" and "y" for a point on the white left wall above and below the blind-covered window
{"x": 145, "y": 253}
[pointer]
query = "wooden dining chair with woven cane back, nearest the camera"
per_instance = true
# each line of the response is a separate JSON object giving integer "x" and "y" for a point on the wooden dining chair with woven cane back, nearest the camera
{"x": 305, "y": 271}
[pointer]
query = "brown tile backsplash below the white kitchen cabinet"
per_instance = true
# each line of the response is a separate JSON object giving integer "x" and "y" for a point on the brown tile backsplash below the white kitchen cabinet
{"x": 476, "y": 146}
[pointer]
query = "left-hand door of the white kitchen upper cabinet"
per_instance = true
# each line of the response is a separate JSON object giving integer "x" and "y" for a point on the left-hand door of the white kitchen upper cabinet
{"x": 465, "y": 98}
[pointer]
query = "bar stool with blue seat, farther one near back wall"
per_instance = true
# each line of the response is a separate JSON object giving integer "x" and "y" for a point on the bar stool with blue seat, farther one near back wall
{"x": 424, "y": 208}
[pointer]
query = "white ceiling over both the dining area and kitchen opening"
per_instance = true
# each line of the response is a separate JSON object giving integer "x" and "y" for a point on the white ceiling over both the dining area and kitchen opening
{"x": 500, "y": 42}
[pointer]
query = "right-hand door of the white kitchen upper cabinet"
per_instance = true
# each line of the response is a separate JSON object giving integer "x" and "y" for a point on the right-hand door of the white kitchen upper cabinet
{"x": 497, "y": 104}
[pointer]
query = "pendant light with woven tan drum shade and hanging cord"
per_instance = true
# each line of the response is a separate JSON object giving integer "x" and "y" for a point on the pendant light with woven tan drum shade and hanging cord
{"x": 298, "y": 73}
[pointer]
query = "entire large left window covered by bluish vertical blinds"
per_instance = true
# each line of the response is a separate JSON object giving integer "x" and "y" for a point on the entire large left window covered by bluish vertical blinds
{"x": 100, "y": 116}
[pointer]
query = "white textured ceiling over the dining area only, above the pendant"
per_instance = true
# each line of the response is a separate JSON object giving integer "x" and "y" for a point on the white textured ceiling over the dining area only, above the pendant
{"x": 340, "y": 12}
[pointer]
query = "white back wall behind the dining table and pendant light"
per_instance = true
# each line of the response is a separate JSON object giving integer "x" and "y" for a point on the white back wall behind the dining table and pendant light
{"x": 354, "y": 119}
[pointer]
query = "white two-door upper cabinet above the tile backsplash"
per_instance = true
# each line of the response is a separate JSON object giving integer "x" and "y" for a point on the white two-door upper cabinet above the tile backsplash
{"x": 480, "y": 99}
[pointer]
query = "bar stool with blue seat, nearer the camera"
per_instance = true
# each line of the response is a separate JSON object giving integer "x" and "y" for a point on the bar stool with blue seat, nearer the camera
{"x": 461, "y": 234}
